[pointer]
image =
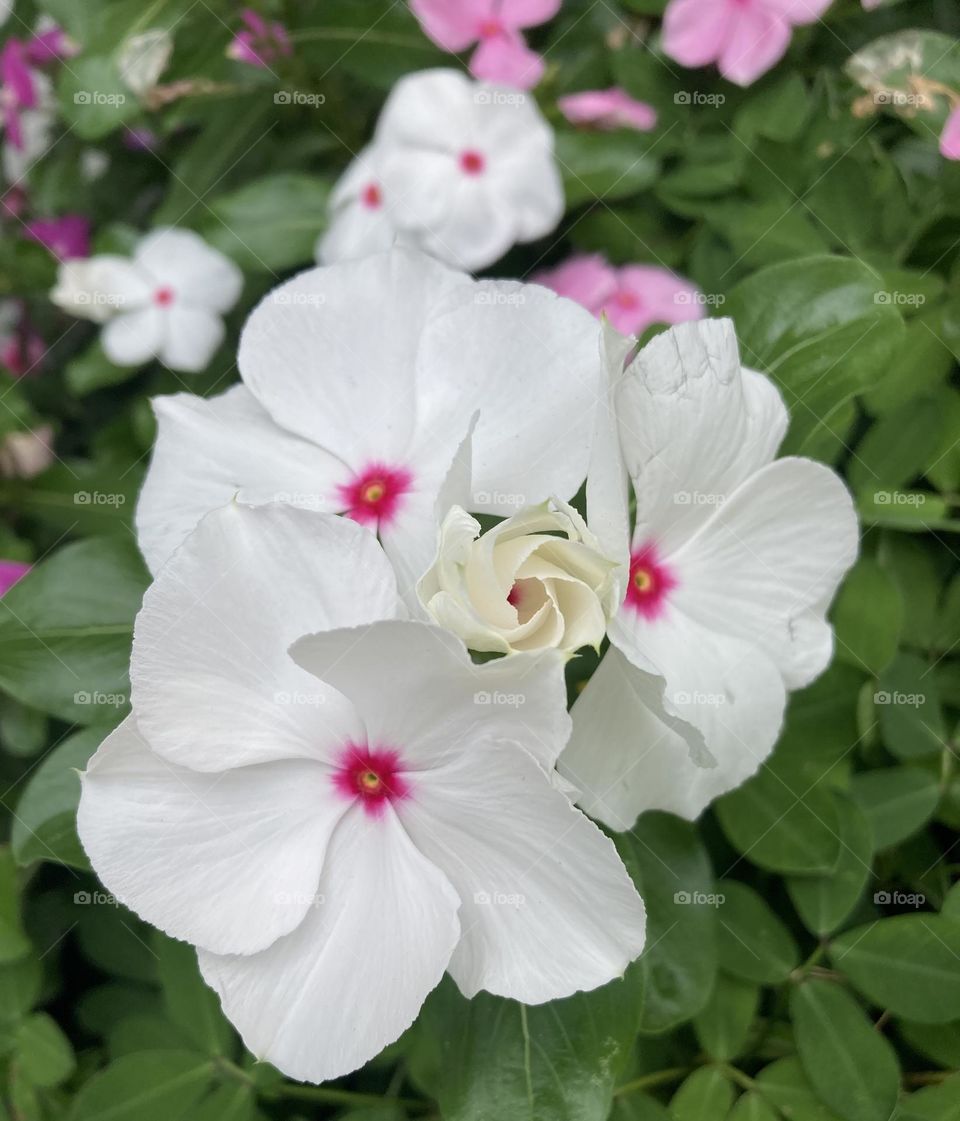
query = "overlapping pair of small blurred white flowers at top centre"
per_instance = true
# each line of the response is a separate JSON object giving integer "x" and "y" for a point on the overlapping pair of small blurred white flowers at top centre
{"x": 464, "y": 170}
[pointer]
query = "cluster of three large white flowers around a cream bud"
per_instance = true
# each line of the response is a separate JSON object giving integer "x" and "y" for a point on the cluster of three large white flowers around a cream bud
{"x": 319, "y": 786}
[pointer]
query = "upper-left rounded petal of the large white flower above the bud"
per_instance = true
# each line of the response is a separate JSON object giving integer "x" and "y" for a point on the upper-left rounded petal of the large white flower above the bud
{"x": 331, "y": 355}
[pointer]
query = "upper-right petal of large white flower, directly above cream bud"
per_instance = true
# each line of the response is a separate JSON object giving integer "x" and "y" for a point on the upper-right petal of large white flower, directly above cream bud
{"x": 529, "y": 362}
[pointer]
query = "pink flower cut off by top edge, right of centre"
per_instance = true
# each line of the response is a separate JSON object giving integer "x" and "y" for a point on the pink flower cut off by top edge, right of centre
{"x": 744, "y": 38}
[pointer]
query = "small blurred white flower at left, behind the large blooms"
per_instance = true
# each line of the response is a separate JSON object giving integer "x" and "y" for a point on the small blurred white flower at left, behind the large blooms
{"x": 167, "y": 302}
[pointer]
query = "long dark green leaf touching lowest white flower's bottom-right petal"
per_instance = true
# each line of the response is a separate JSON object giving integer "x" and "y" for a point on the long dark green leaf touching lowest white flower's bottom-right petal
{"x": 672, "y": 873}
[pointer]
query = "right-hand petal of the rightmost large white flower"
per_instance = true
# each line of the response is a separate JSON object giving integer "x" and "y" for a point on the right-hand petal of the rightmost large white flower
{"x": 767, "y": 566}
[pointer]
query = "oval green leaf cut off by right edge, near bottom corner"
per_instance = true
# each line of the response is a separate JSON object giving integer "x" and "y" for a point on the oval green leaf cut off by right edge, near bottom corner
{"x": 907, "y": 965}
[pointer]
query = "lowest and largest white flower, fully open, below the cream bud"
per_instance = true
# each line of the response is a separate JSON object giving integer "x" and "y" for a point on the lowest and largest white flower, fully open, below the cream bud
{"x": 328, "y": 828}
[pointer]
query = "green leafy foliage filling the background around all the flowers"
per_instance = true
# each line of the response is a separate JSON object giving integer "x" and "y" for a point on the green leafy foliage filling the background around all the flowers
{"x": 804, "y": 948}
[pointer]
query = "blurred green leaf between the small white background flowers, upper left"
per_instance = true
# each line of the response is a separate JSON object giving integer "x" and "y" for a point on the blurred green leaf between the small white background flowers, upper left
{"x": 272, "y": 224}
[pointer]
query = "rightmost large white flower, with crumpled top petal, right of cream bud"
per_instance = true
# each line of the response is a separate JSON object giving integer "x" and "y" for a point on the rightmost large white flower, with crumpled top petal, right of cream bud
{"x": 731, "y": 570}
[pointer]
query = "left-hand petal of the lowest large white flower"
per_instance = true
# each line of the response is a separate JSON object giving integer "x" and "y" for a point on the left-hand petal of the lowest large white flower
{"x": 228, "y": 861}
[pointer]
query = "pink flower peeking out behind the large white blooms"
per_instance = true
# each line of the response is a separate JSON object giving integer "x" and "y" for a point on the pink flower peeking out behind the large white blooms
{"x": 633, "y": 298}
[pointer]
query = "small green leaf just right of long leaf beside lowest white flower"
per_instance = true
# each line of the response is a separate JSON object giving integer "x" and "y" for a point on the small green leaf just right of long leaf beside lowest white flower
{"x": 752, "y": 942}
